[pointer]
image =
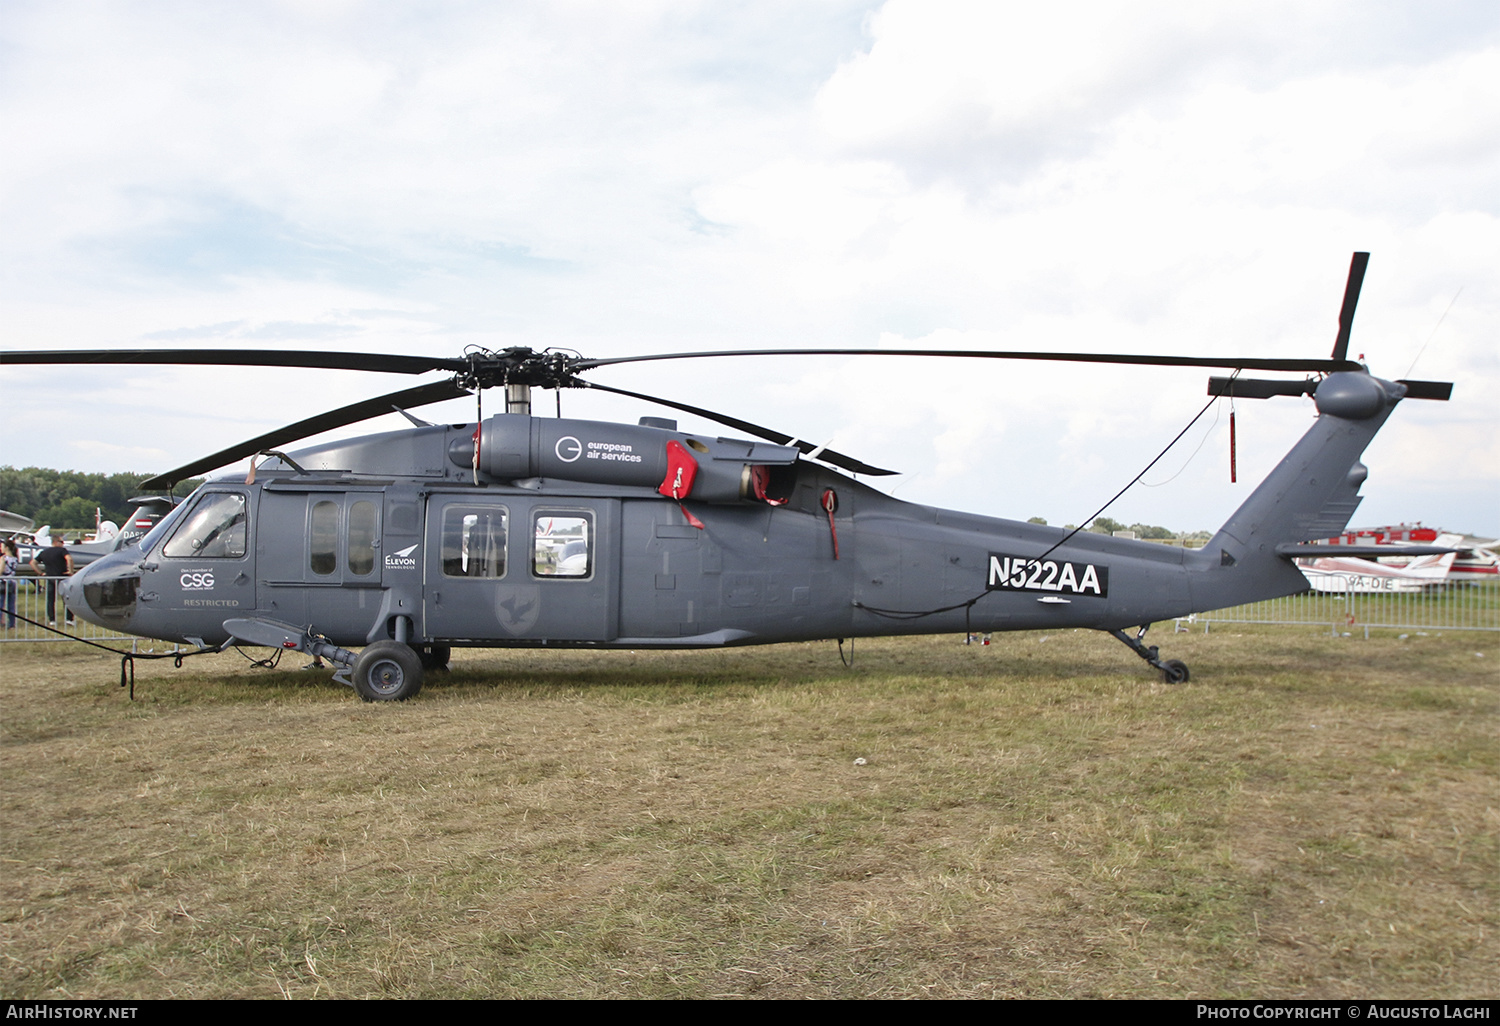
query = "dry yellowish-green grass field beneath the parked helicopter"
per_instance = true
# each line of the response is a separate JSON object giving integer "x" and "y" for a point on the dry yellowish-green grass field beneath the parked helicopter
{"x": 1043, "y": 818}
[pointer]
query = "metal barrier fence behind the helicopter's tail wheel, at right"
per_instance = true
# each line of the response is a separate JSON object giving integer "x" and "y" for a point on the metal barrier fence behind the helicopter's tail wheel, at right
{"x": 1453, "y": 607}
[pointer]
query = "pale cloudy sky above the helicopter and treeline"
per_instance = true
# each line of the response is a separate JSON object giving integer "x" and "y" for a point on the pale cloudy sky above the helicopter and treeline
{"x": 677, "y": 176}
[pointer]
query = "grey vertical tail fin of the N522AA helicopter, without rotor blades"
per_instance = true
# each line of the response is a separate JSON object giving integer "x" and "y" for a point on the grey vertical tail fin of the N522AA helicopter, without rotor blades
{"x": 1312, "y": 494}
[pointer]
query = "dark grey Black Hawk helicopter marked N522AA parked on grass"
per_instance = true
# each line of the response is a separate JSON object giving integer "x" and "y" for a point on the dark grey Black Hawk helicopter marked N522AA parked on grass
{"x": 530, "y": 532}
